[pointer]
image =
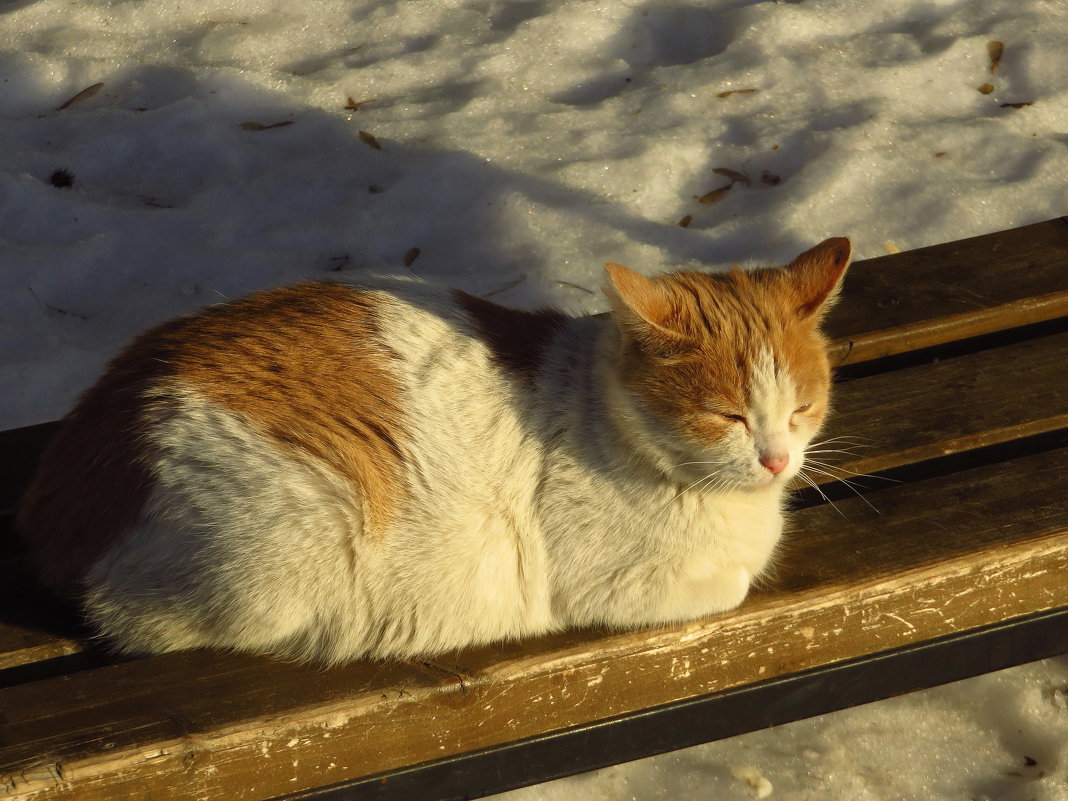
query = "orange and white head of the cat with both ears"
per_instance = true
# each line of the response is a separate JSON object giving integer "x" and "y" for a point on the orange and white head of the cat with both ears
{"x": 728, "y": 375}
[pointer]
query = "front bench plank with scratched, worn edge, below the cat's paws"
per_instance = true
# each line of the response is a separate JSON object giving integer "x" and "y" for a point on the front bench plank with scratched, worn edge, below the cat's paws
{"x": 948, "y": 555}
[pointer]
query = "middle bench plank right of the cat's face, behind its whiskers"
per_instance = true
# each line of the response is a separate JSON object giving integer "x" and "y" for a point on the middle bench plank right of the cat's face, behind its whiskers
{"x": 908, "y": 416}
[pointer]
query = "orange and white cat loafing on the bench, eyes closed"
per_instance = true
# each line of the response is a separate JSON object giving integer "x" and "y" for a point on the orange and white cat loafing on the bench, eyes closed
{"x": 395, "y": 469}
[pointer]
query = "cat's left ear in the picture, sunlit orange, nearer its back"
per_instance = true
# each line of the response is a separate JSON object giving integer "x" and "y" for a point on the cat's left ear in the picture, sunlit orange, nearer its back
{"x": 645, "y": 309}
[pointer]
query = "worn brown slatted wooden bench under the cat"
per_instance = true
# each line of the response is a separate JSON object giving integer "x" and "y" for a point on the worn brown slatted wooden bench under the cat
{"x": 954, "y": 379}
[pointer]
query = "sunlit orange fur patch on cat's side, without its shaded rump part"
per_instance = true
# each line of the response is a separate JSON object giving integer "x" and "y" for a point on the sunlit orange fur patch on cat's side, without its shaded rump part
{"x": 308, "y": 367}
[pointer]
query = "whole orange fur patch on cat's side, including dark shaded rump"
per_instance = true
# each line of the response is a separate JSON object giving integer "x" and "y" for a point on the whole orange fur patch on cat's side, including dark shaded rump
{"x": 305, "y": 366}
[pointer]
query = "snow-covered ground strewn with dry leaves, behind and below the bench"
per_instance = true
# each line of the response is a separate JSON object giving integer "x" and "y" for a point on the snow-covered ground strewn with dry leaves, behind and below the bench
{"x": 513, "y": 147}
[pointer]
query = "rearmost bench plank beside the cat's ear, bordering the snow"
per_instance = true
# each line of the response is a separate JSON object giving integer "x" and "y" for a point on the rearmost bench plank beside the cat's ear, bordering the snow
{"x": 950, "y": 292}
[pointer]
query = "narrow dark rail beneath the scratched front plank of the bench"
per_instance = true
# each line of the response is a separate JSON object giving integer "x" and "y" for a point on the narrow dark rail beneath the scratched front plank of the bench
{"x": 708, "y": 718}
